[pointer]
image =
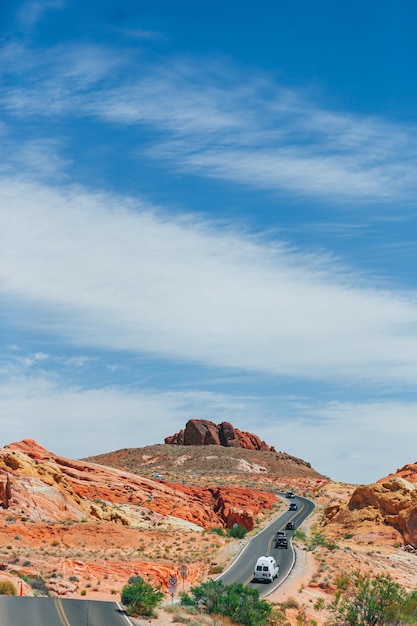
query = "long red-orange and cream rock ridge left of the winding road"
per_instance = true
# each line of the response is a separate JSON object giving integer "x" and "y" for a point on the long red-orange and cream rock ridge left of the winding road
{"x": 41, "y": 486}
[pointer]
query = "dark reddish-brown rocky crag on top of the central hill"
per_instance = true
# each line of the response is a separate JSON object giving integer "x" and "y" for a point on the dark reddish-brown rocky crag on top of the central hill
{"x": 206, "y": 433}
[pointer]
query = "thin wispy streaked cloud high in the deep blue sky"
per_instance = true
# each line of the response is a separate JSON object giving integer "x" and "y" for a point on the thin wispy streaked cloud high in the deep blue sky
{"x": 228, "y": 124}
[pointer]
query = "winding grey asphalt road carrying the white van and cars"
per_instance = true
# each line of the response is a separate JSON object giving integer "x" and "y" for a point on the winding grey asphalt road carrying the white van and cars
{"x": 261, "y": 545}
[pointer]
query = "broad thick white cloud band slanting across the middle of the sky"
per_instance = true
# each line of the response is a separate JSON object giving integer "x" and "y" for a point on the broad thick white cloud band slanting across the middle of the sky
{"x": 108, "y": 272}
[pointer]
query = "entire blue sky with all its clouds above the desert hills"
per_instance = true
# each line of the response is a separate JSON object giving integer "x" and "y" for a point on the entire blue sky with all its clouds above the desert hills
{"x": 208, "y": 210}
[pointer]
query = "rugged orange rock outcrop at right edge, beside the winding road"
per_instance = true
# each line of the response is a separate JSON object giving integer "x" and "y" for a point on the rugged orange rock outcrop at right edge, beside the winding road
{"x": 389, "y": 503}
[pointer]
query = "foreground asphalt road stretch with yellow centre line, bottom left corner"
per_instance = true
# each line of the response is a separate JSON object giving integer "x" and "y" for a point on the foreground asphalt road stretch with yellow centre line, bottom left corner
{"x": 17, "y": 611}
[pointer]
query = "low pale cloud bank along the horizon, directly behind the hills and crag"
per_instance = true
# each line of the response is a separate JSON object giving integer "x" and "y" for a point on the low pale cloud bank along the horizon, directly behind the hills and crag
{"x": 357, "y": 443}
